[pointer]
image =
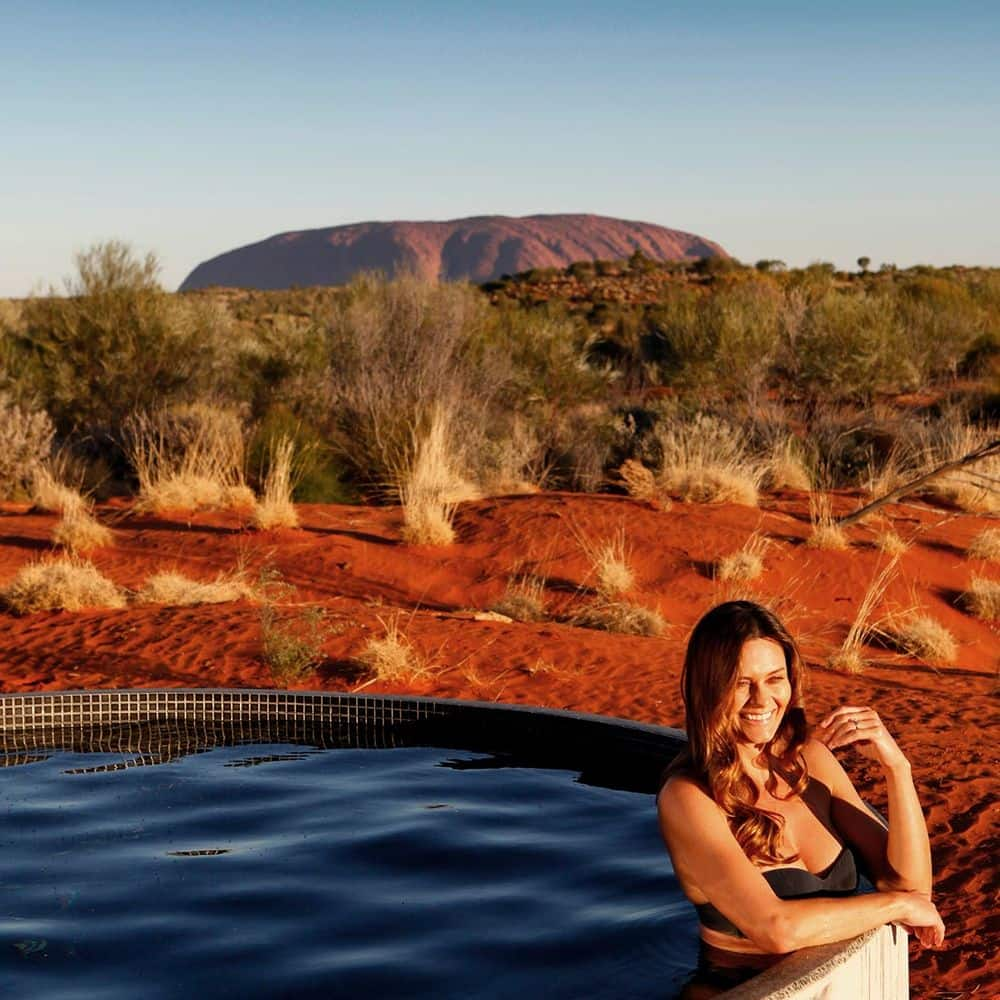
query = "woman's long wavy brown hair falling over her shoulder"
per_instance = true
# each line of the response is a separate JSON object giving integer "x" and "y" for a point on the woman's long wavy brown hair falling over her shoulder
{"x": 708, "y": 685}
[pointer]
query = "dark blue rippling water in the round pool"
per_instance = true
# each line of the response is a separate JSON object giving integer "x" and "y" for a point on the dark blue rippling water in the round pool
{"x": 281, "y": 871}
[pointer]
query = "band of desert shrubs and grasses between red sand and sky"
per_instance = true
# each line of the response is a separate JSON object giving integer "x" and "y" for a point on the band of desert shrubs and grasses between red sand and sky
{"x": 717, "y": 380}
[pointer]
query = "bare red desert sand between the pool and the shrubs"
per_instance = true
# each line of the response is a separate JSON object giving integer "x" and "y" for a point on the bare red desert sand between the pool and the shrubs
{"x": 351, "y": 561}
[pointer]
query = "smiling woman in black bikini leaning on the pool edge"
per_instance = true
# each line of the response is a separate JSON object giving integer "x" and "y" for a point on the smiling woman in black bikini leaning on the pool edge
{"x": 765, "y": 830}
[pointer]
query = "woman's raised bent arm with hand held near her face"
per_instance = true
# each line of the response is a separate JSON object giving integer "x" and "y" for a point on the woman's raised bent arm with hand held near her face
{"x": 904, "y": 862}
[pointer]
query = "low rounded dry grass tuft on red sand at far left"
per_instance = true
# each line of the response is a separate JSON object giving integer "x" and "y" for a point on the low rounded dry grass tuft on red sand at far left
{"x": 66, "y": 583}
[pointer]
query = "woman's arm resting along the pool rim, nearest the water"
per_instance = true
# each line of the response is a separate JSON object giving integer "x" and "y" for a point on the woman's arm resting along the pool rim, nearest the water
{"x": 706, "y": 856}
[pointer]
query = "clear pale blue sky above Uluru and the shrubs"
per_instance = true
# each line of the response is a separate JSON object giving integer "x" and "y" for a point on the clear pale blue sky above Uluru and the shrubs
{"x": 794, "y": 130}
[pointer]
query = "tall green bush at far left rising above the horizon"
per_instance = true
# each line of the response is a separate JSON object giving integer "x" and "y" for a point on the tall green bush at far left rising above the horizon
{"x": 114, "y": 341}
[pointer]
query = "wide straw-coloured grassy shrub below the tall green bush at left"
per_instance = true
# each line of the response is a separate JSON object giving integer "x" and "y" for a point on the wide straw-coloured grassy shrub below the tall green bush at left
{"x": 188, "y": 457}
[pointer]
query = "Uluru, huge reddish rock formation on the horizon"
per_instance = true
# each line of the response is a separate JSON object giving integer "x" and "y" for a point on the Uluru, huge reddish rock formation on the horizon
{"x": 475, "y": 249}
